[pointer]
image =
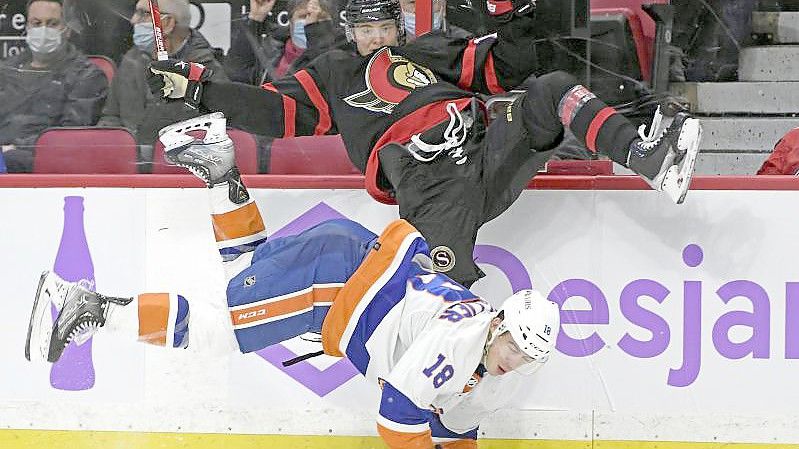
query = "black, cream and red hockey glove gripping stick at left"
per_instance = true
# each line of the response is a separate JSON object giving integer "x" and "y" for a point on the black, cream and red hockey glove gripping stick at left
{"x": 178, "y": 79}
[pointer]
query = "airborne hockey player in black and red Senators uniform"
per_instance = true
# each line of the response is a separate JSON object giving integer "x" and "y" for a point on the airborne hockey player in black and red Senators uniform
{"x": 412, "y": 117}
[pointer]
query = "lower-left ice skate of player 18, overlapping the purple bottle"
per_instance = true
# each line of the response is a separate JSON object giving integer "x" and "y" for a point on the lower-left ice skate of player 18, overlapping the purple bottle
{"x": 80, "y": 313}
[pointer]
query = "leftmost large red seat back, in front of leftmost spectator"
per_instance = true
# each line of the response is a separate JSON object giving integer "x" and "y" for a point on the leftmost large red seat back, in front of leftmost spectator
{"x": 85, "y": 150}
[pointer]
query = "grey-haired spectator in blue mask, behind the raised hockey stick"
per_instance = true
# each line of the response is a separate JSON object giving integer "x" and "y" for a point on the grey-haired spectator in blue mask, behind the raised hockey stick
{"x": 130, "y": 103}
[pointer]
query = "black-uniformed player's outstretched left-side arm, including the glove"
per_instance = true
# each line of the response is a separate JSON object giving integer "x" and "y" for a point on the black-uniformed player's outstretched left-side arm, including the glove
{"x": 293, "y": 106}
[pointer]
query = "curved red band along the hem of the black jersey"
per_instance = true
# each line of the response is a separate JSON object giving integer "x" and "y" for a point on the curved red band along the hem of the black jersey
{"x": 401, "y": 132}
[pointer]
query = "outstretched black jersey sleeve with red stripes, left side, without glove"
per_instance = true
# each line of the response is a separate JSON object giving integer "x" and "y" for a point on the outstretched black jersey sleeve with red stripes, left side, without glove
{"x": 292, "y": 106}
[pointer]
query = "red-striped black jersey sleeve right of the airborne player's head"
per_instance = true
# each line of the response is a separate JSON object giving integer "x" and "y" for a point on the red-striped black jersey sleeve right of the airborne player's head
{"x": 489, "y": 64}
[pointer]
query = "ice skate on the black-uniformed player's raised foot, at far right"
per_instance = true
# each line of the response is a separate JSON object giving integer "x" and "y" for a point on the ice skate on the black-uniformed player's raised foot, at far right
{"x": 665, "y": 157}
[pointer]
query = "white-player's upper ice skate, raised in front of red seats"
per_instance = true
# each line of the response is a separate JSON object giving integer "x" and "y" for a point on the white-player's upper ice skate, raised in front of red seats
{"x": 211, "y": 158}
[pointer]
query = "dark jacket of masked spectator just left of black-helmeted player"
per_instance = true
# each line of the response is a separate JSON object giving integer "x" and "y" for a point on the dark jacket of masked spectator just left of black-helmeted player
{"x": 256, "y": 48}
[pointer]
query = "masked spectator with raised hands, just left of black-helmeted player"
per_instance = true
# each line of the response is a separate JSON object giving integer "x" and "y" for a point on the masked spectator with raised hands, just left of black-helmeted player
{"x": 260, "y": 52}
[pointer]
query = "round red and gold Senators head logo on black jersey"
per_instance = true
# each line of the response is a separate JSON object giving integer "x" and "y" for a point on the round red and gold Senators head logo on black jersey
{"x": 389, "y": 79}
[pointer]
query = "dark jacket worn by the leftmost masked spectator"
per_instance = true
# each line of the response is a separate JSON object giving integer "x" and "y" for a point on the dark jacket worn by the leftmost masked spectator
{"x": 68, "y": 93}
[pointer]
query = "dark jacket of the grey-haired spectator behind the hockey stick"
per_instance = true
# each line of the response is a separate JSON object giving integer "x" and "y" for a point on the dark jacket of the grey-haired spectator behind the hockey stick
{"x": 131, "y": 104}
